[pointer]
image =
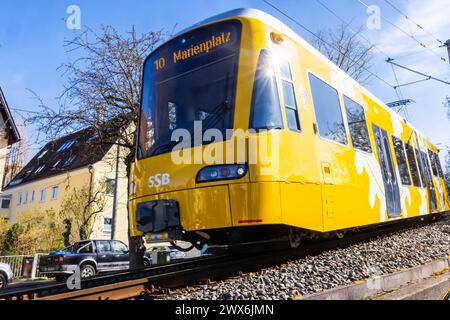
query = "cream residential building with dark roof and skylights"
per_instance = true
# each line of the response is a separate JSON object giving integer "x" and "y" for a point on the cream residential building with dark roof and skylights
{"x": 71, "y": 163}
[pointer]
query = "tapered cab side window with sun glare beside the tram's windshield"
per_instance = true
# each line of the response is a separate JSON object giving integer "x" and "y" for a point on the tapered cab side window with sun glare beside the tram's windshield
{"x": 266, "y": 108}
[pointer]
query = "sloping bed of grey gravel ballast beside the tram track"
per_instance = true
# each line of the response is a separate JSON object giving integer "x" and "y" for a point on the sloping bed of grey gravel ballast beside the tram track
{"x": 331, "y": 269}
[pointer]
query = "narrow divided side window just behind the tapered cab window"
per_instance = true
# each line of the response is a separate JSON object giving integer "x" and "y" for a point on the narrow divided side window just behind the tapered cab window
{"x": 290, "y": 102}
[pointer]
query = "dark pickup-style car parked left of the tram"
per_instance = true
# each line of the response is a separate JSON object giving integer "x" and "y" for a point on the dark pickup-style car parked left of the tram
{"x": 92, "y": 257}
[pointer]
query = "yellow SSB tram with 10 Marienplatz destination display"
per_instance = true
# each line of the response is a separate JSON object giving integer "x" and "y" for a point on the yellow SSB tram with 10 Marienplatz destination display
{"x": 338, "y": 158}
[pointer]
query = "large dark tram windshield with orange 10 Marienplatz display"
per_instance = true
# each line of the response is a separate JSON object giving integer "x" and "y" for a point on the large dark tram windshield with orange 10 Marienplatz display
{"x": 191, "y": 78}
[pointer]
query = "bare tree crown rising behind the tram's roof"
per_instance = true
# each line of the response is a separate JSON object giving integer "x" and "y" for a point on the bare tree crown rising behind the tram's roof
{"x": 344, "y": 48}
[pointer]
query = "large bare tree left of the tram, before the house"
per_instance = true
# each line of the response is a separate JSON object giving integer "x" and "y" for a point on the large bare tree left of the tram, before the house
{"x": 102, "y": 92}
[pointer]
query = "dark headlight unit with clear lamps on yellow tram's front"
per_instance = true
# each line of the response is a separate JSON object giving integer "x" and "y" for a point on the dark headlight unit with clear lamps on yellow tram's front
{"x": 222, "y": 172}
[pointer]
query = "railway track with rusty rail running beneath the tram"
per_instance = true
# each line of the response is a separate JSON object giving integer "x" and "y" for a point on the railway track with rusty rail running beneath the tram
{"x": 159, "y": 280}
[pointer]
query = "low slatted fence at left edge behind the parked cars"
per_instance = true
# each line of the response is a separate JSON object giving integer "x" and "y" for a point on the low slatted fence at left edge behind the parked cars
{"x": 20, "y": 268}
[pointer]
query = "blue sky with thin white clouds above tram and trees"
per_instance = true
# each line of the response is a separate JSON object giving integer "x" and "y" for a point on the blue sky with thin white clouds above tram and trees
{"x": 32, "y": 34}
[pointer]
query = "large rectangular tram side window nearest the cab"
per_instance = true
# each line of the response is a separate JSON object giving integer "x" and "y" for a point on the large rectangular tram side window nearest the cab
{"x": 328, "y": 111}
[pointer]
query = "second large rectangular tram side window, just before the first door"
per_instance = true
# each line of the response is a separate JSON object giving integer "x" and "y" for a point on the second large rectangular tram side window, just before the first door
{"x": 358, "y": 125}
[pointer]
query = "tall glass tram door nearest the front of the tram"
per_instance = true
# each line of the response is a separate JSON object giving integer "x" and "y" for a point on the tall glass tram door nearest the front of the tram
{"x": 391, "y": 188}
